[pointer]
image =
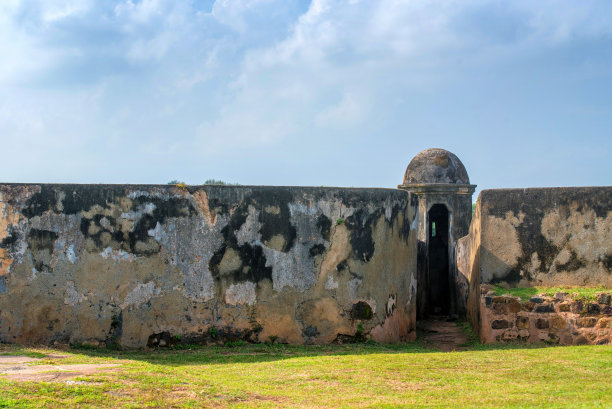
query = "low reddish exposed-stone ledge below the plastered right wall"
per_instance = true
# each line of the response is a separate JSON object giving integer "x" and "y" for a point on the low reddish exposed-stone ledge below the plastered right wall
{"x": 556, "y": 320}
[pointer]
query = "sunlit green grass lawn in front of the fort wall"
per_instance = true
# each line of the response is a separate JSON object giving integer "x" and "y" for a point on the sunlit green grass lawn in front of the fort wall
{"x": 348, "y": 376}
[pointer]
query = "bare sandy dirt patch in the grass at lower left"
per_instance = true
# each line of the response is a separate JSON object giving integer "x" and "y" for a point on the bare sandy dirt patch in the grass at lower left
{"x": 23, "y": 368}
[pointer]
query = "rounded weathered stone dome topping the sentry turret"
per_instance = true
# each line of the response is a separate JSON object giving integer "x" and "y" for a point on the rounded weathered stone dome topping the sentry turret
{"x": 436, "y": 166}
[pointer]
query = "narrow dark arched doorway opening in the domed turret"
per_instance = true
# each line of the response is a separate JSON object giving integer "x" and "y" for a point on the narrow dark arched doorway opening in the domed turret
{"x": 438, "y": 279}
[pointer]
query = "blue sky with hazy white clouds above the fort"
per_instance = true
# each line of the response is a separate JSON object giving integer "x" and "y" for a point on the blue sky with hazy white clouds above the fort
{"x": 288, "y": 92}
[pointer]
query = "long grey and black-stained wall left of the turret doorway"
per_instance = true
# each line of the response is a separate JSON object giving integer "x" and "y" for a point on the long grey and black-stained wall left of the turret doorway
{"x": 137, "y": 265}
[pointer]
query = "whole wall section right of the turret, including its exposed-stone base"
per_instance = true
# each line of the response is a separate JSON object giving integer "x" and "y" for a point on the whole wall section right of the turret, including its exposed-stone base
{"x": 539, "y": 237}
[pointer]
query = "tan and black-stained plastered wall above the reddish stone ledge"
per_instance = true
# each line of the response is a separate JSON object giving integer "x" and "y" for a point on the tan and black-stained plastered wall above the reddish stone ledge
{"x": 537, "y": 237}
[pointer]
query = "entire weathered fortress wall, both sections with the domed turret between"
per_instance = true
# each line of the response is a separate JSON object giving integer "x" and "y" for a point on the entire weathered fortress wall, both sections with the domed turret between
{"x": 137, "y": 265}
